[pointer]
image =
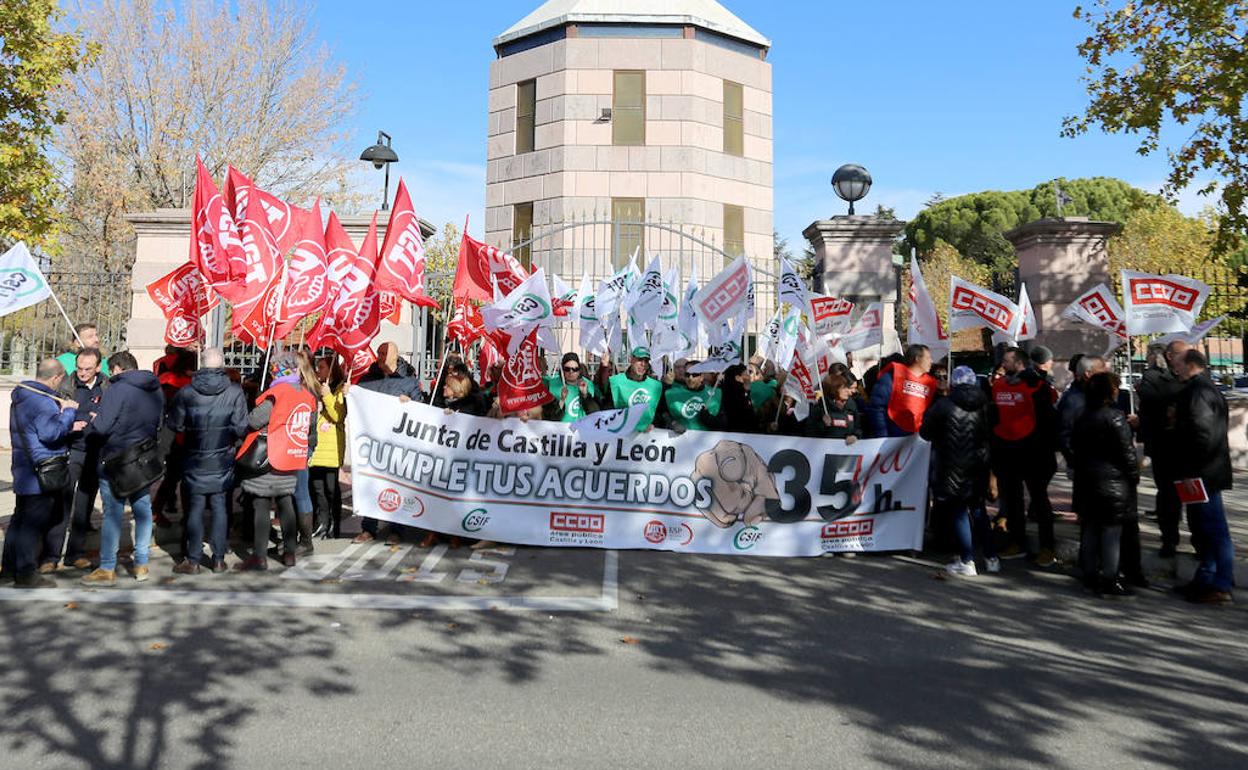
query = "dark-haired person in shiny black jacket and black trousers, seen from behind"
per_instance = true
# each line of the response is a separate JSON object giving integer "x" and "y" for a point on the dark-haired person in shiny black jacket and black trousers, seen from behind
{"x": 1106, "y": 476}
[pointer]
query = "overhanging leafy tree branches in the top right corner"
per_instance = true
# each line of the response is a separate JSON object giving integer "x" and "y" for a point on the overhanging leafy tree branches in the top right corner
{"x": 1154, "y": 62}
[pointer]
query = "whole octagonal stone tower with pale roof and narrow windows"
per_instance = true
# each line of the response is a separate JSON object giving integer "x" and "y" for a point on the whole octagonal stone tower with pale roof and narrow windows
{"x": 631, "y": 112}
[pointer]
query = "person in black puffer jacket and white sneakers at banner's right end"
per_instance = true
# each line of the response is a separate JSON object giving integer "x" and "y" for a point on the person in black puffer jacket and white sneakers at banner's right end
{"x": 959, "y": 429}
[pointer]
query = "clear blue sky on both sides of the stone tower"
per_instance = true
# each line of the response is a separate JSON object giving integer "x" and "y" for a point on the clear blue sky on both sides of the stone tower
{"x": 929, "y": 97}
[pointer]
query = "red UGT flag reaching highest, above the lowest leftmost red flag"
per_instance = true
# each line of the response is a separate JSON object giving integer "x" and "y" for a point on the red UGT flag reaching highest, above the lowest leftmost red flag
{"x": 217, "y": 246}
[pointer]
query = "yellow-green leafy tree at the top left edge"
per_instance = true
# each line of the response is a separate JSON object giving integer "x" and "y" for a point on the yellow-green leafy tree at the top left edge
{"x": 36, "y": 61}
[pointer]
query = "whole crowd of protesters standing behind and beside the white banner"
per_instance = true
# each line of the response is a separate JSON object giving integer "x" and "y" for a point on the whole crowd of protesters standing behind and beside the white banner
{"x": 256, "y": 472}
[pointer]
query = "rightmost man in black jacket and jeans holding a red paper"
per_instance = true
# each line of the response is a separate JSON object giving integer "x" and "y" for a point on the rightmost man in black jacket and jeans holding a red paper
{"x": 1204, "y": 452}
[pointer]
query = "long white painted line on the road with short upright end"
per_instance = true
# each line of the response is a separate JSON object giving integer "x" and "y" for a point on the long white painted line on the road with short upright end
{"x": 605, "y": 603}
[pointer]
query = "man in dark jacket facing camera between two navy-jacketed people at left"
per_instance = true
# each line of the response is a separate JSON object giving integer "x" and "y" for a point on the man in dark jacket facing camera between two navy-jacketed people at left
{"x": 85, "y": 386}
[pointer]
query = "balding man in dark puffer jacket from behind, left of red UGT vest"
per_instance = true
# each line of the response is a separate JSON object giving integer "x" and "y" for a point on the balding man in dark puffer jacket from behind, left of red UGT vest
{"x": 212, "y": 416}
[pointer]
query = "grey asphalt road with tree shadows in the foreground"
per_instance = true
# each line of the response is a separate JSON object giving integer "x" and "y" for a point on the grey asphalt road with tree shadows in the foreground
{"x": 371, "y": 657}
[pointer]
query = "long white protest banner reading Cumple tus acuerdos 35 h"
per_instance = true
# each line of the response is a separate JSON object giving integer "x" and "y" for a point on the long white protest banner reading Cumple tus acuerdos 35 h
{"x": 541, "y": 484}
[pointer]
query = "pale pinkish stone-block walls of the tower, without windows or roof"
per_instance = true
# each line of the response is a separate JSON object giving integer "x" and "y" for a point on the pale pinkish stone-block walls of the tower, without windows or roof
{"x": 682, "y": 172}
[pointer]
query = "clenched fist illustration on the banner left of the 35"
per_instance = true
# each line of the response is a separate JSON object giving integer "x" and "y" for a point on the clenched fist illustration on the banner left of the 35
{"x": 741, "y": 484}
